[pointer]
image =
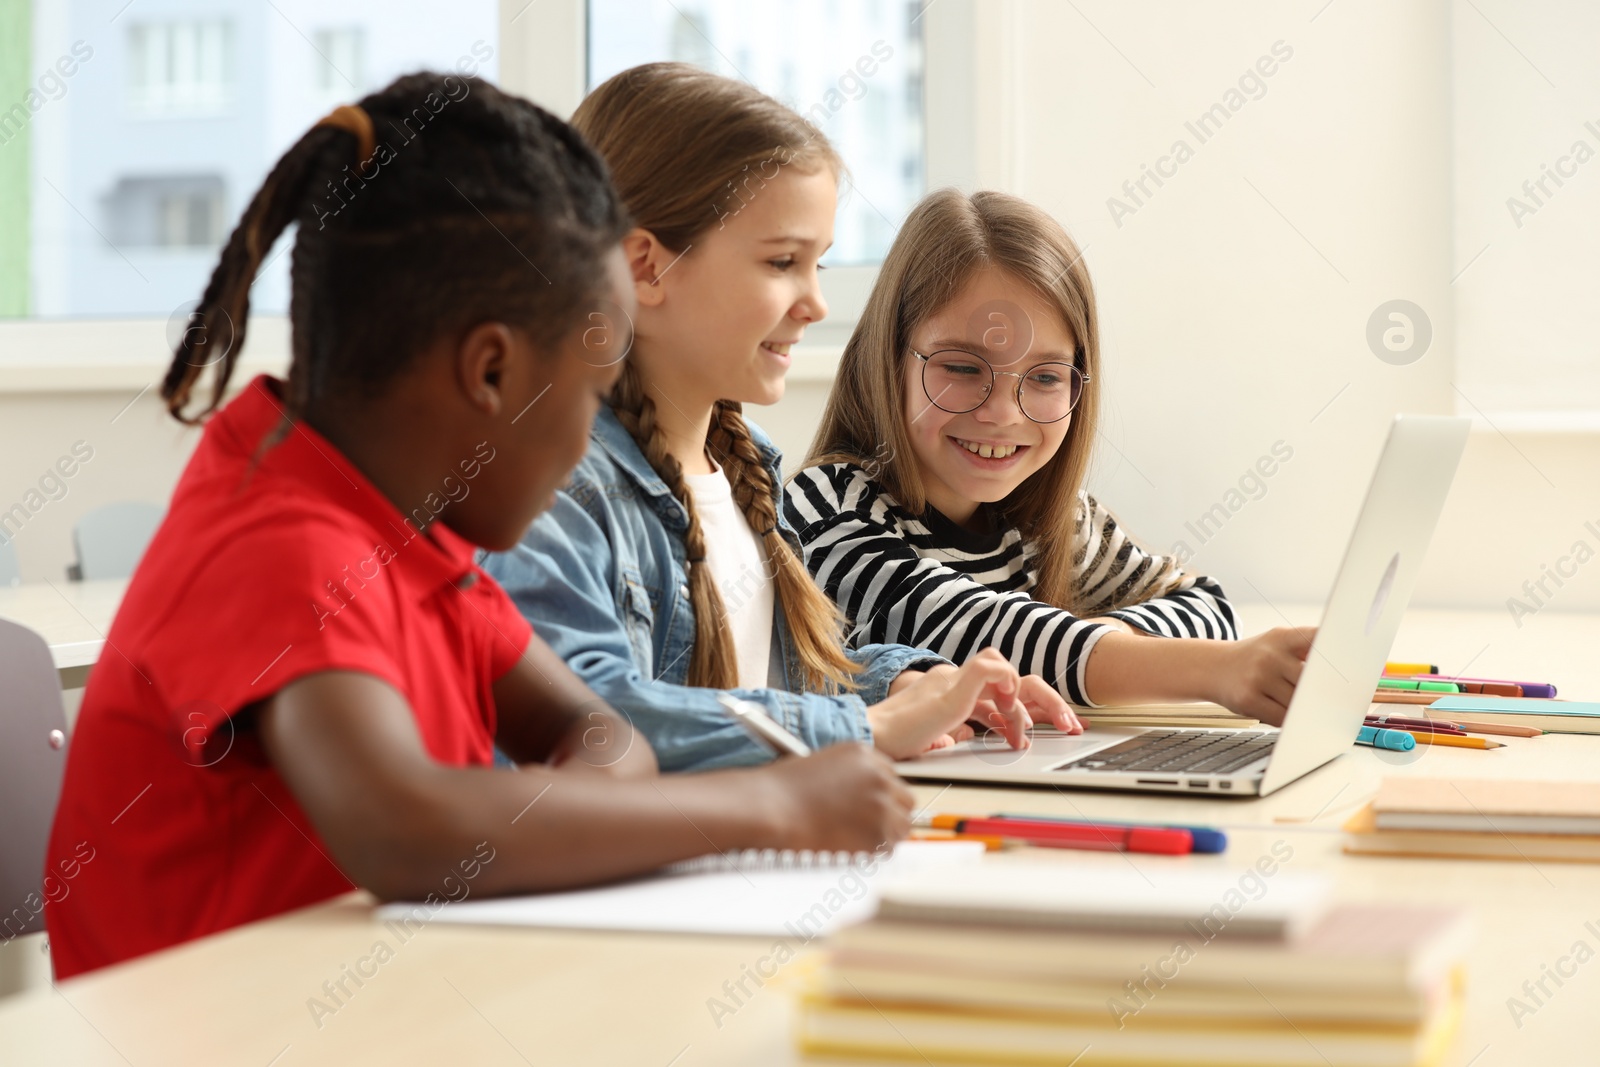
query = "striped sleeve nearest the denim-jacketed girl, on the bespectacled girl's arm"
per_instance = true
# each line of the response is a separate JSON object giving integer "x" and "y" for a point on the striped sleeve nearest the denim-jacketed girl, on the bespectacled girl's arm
{"x": 890, "y": 594}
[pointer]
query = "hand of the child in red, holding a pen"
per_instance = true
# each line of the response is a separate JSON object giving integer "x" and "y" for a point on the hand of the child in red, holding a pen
{"x": 842, "y": 797}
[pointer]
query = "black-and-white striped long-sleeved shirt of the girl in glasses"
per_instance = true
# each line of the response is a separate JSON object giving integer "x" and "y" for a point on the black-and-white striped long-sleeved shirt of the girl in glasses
{"x": 929, "y": 583}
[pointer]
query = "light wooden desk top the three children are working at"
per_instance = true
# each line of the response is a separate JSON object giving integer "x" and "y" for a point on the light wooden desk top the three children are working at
{"x": 558, "y": 997}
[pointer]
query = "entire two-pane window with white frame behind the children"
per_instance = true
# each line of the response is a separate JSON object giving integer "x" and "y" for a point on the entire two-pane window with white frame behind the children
{"x": 212, "y": 92}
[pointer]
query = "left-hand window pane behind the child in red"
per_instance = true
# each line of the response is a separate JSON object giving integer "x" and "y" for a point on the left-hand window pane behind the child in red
{"x": 145, "y": 135}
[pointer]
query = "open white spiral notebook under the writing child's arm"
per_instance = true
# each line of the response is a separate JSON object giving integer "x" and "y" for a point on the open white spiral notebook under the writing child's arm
{"x": 758, "y": 893}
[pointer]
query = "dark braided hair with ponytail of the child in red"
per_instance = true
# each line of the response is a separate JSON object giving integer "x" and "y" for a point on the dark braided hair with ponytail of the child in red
{"x": 462, "y": 206}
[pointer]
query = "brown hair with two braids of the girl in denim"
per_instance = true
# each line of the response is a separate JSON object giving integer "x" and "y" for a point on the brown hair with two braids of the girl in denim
{"x": 686, "y": 148}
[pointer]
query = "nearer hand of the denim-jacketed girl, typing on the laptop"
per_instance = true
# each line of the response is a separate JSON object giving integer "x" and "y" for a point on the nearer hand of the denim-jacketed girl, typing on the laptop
{"x": 932, "y": 711}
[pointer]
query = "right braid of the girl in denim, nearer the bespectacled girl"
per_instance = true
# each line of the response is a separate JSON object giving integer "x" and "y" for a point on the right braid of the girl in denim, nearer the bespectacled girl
{"x": 815, "y": 621}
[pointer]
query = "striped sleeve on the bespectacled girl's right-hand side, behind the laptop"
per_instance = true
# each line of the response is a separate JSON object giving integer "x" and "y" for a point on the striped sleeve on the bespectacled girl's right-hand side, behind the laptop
{"x": 1121, "y": 580}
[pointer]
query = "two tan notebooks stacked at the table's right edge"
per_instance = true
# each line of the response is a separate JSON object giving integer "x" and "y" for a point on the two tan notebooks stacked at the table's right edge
{"x": 1481, "y": 820}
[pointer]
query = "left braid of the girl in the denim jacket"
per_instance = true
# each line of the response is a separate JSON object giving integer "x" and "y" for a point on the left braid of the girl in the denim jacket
{"x": 713, "y": 660}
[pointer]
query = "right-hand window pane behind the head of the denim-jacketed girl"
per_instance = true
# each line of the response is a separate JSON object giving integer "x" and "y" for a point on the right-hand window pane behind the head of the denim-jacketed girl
{"x": 854, "y": 70}
